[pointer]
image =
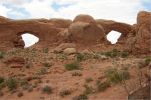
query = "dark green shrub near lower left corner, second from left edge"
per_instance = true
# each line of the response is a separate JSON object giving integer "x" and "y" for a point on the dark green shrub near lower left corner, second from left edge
{"x": 11, "y": 83}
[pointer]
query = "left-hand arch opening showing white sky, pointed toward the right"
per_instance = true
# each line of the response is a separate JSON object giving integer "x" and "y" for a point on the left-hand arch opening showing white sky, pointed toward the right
{"x": 29, "y": 39}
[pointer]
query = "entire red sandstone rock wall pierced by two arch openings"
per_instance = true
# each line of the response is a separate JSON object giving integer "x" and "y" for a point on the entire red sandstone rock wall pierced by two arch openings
{"x": 83, "y": 31}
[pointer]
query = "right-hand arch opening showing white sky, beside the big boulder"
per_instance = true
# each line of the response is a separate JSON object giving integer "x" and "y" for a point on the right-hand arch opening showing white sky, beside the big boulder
{"x": 113, "y": 36}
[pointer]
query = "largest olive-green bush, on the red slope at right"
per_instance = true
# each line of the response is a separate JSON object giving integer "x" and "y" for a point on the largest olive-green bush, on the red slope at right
{"x": 116, "y": 76}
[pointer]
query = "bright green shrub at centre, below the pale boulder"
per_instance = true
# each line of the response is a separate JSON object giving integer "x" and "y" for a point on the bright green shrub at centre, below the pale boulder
{"x": 72, "y": 66}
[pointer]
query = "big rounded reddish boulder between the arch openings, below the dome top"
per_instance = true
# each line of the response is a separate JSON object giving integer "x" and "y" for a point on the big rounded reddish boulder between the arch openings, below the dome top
{"x": 86, "y": 33}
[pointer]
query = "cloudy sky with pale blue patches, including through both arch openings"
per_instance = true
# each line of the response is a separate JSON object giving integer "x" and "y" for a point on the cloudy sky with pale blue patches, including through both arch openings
{"x": 118, "y": 10}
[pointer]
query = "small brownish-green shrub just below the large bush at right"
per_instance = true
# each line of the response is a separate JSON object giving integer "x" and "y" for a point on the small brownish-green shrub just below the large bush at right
{"x": 102, "y": 86}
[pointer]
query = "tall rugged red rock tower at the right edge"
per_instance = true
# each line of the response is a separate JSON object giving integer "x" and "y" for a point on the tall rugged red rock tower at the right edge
{"x": 140, "y": 41}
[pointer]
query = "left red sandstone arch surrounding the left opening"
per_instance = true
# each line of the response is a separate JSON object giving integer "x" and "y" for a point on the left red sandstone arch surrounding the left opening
{"x": 11, "y": 29}
